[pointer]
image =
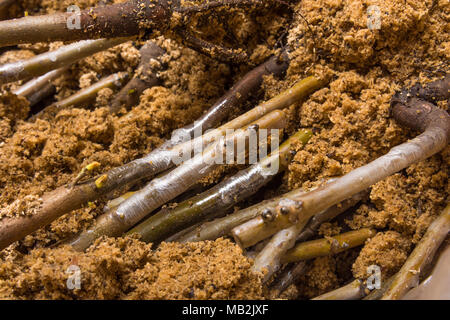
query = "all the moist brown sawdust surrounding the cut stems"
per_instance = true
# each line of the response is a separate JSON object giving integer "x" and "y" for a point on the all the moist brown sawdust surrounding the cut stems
{"x": 350, "y": 119}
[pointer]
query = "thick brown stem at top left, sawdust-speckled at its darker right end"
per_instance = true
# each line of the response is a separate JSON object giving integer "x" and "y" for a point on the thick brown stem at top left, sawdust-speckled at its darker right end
{"x": 117, "y": 20}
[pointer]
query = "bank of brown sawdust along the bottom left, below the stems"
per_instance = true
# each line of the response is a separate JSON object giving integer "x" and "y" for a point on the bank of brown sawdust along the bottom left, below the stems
{"x": 128, "y": 269}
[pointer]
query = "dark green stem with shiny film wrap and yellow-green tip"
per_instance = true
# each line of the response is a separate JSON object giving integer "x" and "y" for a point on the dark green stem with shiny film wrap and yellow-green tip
{"x": 219, "y": 198}
